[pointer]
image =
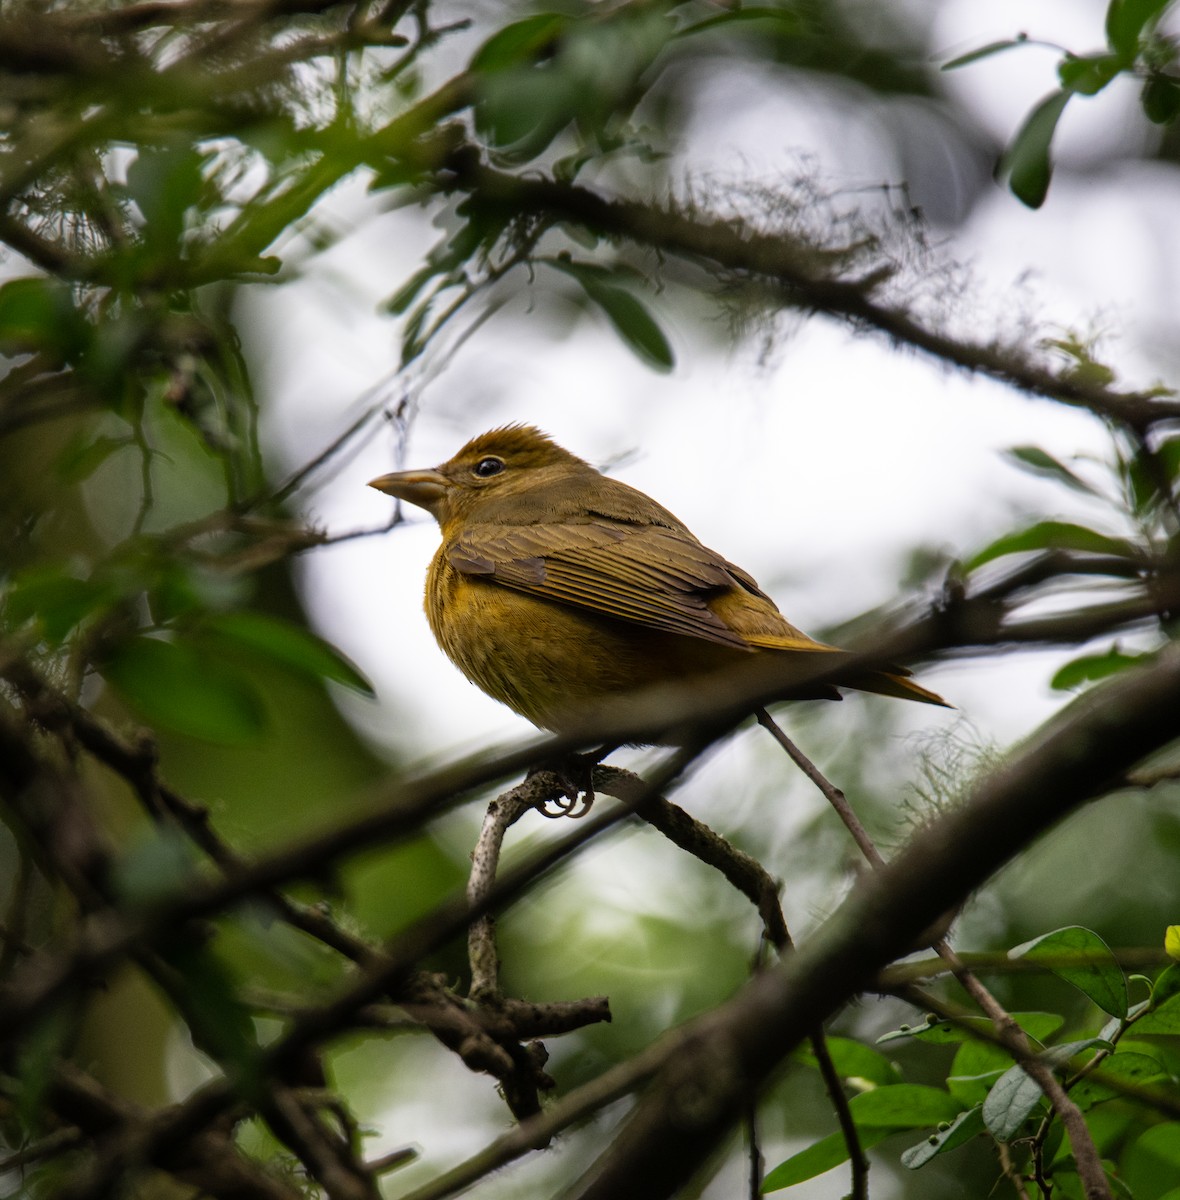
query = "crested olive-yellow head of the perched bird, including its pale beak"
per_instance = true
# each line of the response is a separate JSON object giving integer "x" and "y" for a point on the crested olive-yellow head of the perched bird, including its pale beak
{"x": 504, "y": 465}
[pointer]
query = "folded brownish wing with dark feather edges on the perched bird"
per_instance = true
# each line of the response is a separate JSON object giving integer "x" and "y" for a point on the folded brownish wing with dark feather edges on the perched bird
{"x": 649, "y": 574}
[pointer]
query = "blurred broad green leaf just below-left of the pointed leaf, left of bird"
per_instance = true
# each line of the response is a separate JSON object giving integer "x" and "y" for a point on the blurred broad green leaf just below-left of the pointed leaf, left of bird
{"x": 171, "y": 685}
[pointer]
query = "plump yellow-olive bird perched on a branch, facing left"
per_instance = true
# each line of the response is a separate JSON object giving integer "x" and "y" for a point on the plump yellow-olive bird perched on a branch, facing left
{"x": 558, "y": 587}
